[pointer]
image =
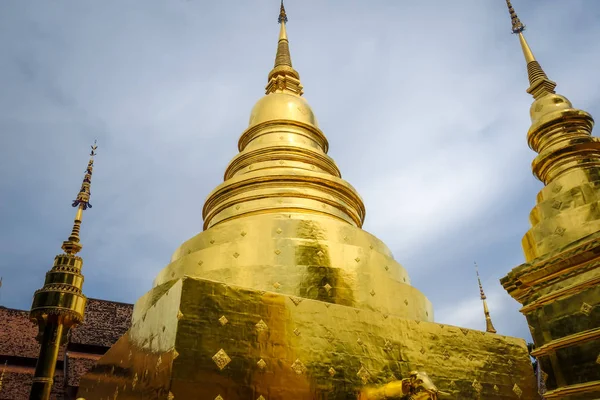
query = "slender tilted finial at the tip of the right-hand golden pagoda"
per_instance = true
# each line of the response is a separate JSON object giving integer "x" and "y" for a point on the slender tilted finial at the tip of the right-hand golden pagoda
{"x": 539, "y": 84}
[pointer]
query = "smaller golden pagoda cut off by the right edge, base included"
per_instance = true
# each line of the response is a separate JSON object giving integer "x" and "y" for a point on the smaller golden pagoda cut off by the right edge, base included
{"x": 558, "y": 285}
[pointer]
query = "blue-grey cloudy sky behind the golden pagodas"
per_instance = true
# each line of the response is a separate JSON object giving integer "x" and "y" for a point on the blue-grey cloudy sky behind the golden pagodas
{"x": 423, "y": 102}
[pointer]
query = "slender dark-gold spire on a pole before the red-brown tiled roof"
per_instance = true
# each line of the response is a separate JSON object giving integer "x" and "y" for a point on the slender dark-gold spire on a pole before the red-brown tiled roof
{"x": 60, "y": 303}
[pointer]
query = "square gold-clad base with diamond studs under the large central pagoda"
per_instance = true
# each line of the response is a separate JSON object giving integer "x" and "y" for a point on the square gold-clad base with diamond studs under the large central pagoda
{"x": 204, "y": 339}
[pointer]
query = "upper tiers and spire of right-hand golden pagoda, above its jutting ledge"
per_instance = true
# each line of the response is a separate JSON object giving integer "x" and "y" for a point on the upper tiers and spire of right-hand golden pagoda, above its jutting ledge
{"x": 567, "y": 162}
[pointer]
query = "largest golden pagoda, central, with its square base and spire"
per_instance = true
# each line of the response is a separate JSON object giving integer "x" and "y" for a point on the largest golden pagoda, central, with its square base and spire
{"x": 284, "y": 296}
